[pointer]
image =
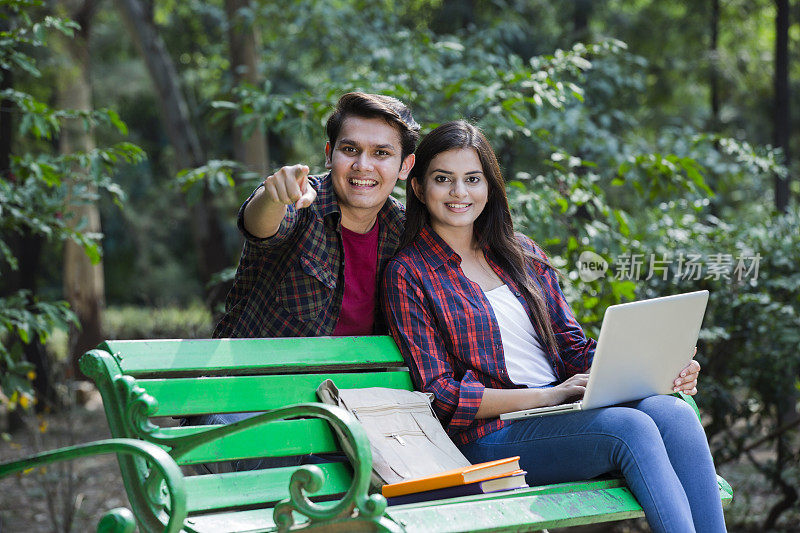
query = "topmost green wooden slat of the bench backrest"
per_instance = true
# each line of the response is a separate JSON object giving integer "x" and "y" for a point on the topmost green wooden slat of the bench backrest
{"x": 209, "y": 356}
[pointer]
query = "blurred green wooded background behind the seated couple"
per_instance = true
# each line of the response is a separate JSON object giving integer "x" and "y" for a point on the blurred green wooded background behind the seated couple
{"x": 650, "y": 130}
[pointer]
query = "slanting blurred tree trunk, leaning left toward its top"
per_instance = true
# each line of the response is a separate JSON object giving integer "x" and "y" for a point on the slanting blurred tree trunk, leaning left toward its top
{"x": 205, "y": 225}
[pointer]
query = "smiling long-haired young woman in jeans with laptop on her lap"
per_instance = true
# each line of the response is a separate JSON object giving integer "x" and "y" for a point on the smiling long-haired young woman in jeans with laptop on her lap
{"x": 480, "y": 318}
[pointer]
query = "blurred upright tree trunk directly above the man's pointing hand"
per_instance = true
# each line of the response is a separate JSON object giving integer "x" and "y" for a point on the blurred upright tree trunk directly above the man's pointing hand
{"x": 251, "y": 150}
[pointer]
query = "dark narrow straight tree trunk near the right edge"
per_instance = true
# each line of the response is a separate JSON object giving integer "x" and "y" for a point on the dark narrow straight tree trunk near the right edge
{"x": 782, "y": 118}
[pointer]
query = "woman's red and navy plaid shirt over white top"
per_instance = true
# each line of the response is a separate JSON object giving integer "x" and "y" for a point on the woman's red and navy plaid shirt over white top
{"x": 448, "y": 334}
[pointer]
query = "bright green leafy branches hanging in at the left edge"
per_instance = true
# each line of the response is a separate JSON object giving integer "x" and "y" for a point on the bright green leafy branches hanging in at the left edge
{"x": 37, "y": 189}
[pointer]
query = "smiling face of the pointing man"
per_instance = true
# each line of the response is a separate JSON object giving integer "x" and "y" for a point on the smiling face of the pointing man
{"x": 365, "y": 163}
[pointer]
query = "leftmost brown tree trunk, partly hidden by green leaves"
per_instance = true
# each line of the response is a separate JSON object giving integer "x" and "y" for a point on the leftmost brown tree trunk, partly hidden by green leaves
{"x": 84, "y": 286}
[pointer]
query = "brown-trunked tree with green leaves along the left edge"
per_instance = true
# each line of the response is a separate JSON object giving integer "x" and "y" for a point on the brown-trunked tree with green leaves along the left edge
{"x": 52, "y": 175}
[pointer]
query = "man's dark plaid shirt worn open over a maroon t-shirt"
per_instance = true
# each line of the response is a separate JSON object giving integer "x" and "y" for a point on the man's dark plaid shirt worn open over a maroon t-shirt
{"x": 292, "y": 284}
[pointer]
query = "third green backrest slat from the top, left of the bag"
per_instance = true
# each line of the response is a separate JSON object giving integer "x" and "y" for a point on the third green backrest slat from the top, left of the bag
{"x": 276, "y": 439}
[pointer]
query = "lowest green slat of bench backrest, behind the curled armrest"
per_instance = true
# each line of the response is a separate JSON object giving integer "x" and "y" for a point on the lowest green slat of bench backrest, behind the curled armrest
{"x": 220, "y": 491}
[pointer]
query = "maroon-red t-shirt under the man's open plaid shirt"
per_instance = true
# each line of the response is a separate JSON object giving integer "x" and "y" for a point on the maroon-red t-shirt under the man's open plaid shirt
{"x": 360, "y": 270}
